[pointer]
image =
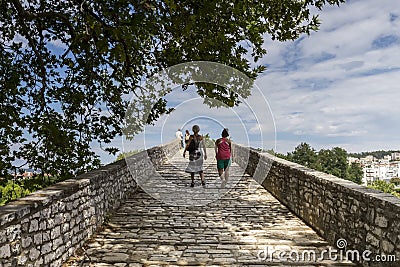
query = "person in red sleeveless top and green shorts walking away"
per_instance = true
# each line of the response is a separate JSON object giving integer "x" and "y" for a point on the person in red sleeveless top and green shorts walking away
{"x": 223, "y": 154}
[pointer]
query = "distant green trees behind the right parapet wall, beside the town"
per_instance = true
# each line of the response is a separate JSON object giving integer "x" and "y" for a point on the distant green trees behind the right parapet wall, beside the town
{"x": 332, "y": 161}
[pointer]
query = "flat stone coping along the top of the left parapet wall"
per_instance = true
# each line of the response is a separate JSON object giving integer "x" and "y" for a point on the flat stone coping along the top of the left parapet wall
{"x": 17, "y": 209}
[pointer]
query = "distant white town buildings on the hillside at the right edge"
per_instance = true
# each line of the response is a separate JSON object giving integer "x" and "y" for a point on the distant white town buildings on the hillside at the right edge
{"x": 386, "y": 168}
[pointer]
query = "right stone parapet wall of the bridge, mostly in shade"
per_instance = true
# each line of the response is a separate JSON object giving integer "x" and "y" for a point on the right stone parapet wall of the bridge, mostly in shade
{"x": 337, "y": 209}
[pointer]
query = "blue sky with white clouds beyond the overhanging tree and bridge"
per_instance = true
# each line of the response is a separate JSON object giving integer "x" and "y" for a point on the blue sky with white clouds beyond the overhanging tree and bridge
{"x": 337, "y": 87}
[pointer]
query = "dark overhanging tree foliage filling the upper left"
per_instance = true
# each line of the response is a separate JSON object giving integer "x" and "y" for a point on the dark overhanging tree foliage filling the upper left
{"x": 67, "y": 66}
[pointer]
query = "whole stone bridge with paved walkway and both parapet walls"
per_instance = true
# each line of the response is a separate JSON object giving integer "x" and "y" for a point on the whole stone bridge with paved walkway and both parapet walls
{"x": 270, "y": 213}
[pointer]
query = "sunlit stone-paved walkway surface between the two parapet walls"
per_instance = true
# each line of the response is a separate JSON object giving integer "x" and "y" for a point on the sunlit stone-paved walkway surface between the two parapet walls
{"x": 242, "y": 228}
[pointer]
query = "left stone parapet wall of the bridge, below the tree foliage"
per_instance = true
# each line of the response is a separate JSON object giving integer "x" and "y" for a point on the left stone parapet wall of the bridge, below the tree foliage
{"x": 46, "y": 227}
